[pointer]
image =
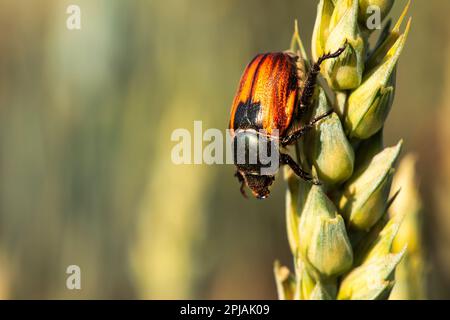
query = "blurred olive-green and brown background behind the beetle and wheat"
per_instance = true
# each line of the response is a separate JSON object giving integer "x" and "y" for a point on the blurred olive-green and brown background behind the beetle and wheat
{"x": 86, "y": 116}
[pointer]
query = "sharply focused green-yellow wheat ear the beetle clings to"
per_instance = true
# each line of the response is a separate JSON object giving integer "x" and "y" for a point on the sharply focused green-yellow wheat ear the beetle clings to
{"x": 340, "y": 233}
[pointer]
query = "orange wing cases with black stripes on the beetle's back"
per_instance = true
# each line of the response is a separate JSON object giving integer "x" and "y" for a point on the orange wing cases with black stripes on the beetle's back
{"x": 267, "y": 94}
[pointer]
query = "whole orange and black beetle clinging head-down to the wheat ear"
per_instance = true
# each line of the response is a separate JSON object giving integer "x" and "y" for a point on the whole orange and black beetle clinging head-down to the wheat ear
{"x": 272, "y": 96}
